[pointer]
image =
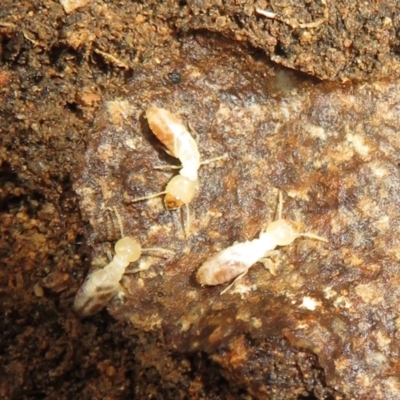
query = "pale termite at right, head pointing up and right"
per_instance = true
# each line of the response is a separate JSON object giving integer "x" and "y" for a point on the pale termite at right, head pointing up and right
{"x": 235, "y": 261}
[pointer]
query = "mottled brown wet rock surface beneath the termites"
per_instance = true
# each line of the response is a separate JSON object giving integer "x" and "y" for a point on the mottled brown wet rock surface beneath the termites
{"x": 329, "y": 308}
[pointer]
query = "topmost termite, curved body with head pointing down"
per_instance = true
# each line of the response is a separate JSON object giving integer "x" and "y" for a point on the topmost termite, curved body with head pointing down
{"x": 179, "y": 143}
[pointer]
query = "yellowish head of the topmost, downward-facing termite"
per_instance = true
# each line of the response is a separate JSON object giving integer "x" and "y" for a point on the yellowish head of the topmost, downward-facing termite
{"x": 180, "y": 191}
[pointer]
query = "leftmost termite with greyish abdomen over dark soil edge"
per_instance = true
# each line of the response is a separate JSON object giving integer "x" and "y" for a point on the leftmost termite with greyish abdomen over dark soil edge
{"x": 103, "y": 284}
